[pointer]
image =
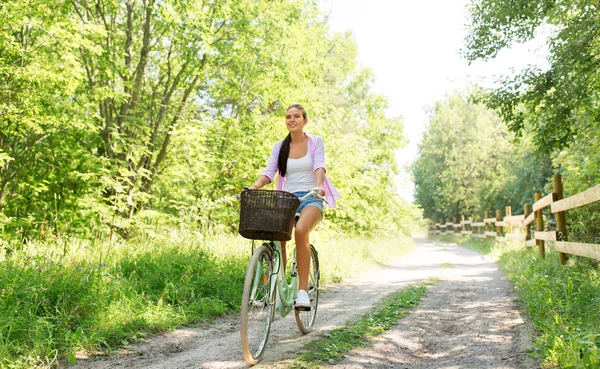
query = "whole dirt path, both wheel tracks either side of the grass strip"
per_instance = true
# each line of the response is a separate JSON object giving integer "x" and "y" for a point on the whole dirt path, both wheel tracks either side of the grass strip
{"x": 468, "y": 320}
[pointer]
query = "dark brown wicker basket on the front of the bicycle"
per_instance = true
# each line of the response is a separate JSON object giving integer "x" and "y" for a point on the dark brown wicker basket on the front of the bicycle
{"x": 267, "y": 215}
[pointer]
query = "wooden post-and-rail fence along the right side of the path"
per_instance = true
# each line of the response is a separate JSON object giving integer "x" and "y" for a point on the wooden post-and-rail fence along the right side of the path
{"x": 518, "y": 228}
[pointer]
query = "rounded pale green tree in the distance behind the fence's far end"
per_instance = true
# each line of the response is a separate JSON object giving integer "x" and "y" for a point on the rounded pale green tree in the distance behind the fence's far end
{"x": 462, "y": 161}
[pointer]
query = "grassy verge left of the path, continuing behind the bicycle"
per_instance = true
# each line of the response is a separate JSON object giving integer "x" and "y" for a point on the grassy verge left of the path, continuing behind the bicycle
{"x": 65, "y": 297}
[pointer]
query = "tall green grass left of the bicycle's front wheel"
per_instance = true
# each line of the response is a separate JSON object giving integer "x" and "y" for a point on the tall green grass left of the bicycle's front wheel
{"x": 53, "y": 304}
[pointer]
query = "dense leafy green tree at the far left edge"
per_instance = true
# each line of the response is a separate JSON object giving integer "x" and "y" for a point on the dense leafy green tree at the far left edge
{"x": 39, "y": 74}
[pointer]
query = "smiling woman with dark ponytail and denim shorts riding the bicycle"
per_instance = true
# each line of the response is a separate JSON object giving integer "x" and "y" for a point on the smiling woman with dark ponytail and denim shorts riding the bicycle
{"x": 300, "y": 161}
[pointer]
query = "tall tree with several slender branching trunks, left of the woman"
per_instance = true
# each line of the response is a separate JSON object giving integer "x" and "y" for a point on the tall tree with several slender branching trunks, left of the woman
{"x": 153, "y": 64}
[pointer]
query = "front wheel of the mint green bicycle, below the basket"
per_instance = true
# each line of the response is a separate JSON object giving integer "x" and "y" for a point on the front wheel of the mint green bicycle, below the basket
{"x": 258, "y": 308}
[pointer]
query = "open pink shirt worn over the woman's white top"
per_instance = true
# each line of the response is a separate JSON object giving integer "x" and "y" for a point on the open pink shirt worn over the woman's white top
{"x": 317, "y": 154}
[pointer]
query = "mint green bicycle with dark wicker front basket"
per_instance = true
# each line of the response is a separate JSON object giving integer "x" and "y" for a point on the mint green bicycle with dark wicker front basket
{"x": 270, "y": 215}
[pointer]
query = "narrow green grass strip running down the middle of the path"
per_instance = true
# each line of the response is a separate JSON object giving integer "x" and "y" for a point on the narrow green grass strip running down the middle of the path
{"x": 331, "y": 347}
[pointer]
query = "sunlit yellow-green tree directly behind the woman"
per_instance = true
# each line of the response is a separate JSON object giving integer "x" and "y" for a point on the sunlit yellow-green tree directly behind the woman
{"x": 226, "y": 151}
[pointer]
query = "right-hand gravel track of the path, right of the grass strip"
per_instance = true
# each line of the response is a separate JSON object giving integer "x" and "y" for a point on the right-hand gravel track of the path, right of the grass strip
{"x": 467, "y": 320}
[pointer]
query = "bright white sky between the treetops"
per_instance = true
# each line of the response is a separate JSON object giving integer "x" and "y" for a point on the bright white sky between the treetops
{"x": 413, "y": 48}
